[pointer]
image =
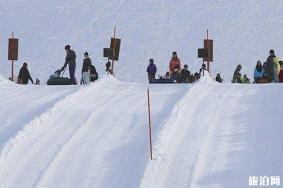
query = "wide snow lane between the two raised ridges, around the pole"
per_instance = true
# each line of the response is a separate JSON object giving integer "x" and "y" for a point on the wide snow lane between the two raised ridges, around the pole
{"x": 78, "y": 135}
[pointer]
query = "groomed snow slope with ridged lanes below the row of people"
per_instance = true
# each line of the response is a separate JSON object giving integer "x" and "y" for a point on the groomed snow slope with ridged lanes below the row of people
{"x": 204, "y": 135}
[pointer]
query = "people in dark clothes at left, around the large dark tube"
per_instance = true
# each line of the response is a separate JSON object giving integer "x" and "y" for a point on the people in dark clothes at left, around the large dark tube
{"x": 89, "y": 73}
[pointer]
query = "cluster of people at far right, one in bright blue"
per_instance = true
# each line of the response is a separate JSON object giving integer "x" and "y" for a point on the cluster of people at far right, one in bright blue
{"x": 269, "y": 71}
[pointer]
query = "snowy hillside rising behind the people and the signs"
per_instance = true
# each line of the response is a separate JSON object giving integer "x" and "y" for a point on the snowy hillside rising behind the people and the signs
{"x": 244, "y": 32}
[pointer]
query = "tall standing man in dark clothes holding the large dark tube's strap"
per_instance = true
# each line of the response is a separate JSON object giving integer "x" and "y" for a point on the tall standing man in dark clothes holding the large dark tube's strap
{"x": 71, "y": 61}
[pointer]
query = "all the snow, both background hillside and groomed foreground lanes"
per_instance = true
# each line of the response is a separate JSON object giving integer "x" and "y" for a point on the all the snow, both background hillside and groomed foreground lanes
{"x": 205, "y": 134}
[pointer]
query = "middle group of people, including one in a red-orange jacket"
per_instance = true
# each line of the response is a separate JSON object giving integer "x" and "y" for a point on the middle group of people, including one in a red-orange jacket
{"x": 176, "y": 73}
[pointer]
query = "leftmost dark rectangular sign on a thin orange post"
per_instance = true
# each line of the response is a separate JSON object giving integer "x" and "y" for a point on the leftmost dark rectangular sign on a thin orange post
{"x": 13, "y": 53}
